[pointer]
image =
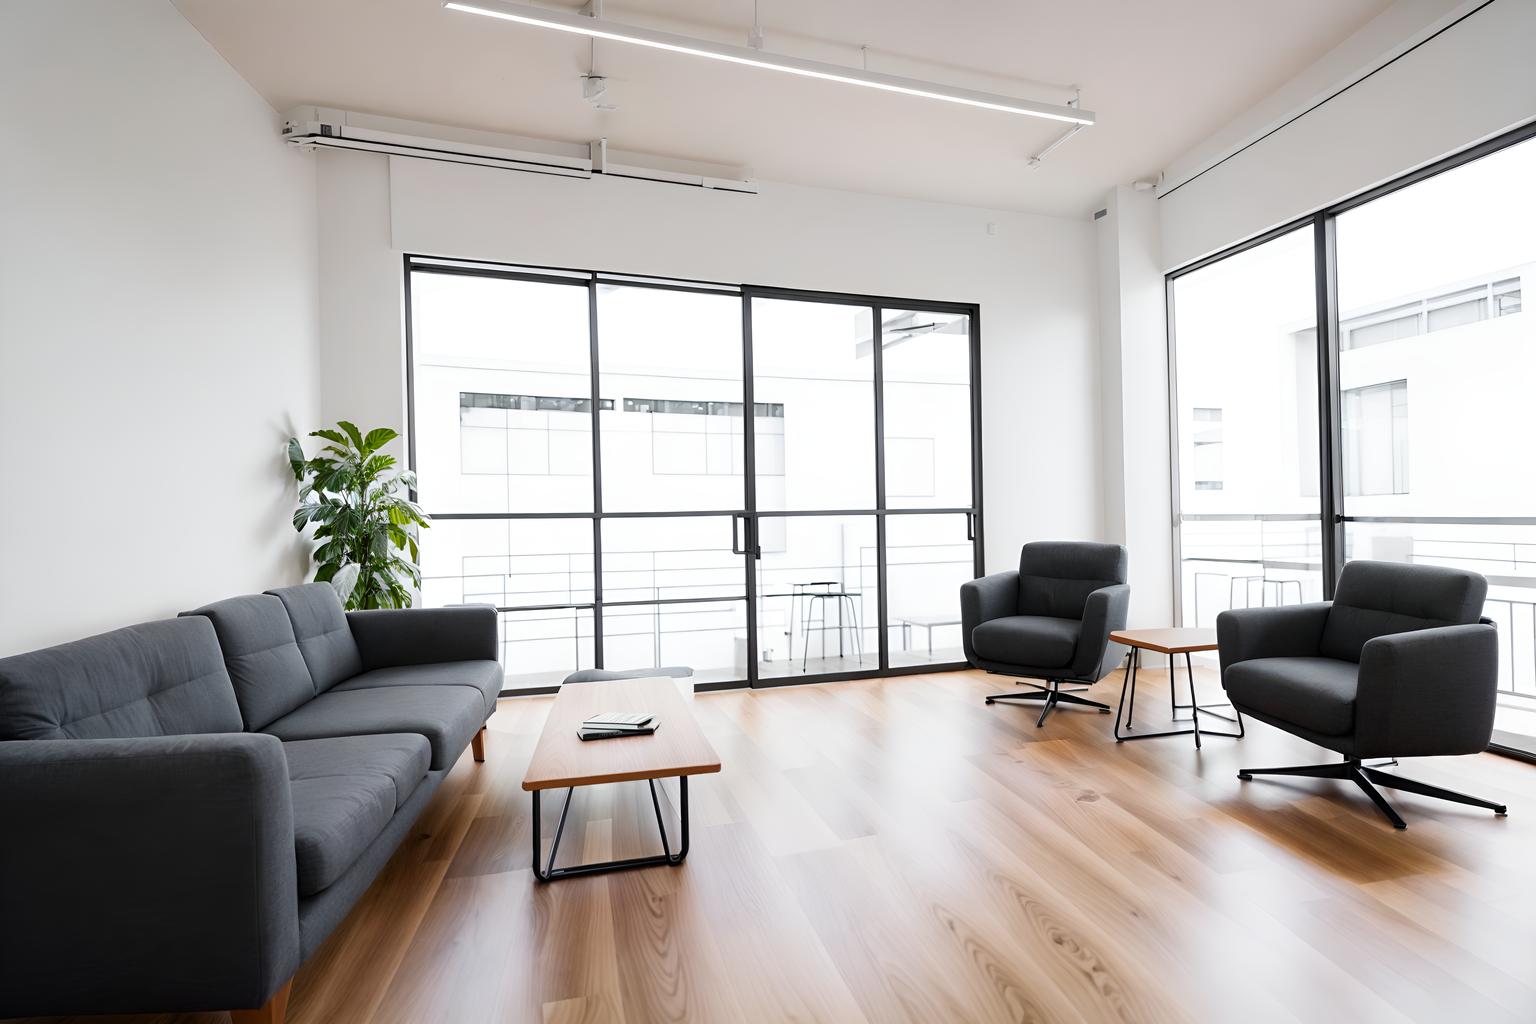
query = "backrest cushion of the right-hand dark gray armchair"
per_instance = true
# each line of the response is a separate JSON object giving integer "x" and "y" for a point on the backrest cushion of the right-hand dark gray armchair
{"x": 1377, "y": 600}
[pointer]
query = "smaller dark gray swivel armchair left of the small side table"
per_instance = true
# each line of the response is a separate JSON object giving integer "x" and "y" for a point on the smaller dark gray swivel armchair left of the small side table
{"x": 1050, "y": 621}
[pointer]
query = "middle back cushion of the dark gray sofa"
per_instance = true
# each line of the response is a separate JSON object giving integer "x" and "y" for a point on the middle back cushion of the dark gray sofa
{"x": 262, "y": 655}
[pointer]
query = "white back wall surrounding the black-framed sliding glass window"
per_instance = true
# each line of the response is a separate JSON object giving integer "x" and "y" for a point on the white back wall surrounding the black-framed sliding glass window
{"x": 1034, "y": 280}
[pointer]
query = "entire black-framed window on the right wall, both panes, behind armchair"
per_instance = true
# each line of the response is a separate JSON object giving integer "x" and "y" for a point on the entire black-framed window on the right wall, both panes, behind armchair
{"x": 1428, "y": 372}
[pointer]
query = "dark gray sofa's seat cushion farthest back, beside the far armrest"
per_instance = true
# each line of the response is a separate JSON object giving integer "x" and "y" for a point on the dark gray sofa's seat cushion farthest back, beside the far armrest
{"x": 448, "y": 716}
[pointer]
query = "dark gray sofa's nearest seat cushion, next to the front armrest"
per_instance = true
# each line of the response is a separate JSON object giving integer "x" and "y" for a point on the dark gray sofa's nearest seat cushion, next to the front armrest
{"x": 345, "y": 793}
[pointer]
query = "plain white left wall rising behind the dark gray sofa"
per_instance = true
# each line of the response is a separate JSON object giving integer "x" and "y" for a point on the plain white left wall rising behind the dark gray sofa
{"x": 157, "y": 323}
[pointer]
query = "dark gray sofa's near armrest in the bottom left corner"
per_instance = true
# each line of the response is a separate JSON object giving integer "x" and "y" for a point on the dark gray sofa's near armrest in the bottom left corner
{"x": 145, "y": 874}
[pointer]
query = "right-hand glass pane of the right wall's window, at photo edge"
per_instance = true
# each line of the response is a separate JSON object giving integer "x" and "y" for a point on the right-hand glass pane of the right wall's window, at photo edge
{"x": 1451, "y": 256}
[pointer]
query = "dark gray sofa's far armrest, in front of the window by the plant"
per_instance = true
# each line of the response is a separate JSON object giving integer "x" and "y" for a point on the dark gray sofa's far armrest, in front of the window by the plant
{"x": 425, "y": 636}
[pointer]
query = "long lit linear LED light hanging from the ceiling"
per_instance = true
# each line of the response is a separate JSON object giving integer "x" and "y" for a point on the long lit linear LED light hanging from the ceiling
{"x": 600, "y": 28}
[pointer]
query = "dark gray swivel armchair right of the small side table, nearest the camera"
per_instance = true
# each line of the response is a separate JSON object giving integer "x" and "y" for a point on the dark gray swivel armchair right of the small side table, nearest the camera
{"x": 1400, "y": 664}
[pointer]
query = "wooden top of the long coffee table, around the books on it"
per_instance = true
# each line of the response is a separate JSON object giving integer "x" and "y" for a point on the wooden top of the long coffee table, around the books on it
{"x": 677, "y": 748}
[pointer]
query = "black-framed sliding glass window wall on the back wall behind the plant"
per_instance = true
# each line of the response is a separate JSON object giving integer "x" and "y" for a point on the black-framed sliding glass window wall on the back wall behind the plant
{"x": 756, "y": 486}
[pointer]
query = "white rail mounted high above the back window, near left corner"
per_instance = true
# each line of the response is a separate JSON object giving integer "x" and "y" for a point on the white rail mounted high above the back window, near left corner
{"x": 328, "y": 128}
